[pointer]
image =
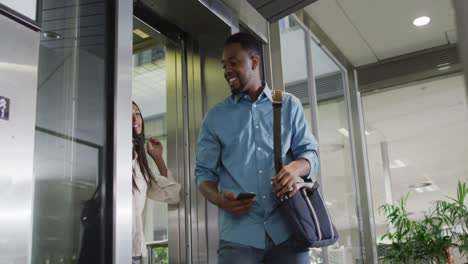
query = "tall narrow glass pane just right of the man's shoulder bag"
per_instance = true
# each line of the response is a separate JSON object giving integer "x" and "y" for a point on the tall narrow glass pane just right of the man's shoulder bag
{"x": 337, "y": 173}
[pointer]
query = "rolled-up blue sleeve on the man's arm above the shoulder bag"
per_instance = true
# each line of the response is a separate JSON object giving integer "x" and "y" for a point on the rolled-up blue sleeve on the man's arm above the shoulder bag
{"x": 303, "y": 145}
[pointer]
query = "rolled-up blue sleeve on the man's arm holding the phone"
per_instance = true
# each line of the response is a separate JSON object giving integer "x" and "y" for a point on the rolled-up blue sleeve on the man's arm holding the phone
{"x": 208, "y": 153}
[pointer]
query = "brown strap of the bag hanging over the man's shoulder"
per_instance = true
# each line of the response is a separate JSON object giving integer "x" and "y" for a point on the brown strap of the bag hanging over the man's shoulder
{"x": 277, "y": 96}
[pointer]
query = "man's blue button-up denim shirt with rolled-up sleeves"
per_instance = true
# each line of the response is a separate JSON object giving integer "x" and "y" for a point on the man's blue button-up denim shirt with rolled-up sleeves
{"x": 235, "y": 149}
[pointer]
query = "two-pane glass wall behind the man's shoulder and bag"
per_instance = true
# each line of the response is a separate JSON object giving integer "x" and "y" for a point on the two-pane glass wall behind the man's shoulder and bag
{"x": 328, "y": 116}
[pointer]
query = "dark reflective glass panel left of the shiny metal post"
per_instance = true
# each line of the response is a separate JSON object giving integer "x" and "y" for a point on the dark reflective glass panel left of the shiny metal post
{"x": 71, "y": 134}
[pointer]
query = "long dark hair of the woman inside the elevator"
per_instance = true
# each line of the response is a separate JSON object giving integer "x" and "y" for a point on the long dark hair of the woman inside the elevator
{"x": 141, "y": 152}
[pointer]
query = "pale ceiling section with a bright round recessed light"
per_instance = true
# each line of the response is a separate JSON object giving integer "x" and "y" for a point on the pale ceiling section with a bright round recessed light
{"x": 367, "y": 31}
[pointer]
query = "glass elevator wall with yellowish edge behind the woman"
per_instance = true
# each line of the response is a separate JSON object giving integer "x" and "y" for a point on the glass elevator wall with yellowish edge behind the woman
{"x": 157, "y": 90}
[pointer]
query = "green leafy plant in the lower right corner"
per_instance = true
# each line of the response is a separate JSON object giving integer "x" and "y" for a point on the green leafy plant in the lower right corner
{"x": 427, "y": 240}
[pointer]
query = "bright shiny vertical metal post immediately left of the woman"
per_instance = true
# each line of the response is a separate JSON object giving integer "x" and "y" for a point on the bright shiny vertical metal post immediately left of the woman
{"x": 122, "y": 248}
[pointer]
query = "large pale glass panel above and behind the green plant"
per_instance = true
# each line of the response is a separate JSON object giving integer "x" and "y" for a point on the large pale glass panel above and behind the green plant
{"x": 420, "y": 129}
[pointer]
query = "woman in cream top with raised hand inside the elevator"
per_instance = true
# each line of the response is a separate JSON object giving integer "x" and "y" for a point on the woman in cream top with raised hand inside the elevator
{"x": 145, "y": 184}
